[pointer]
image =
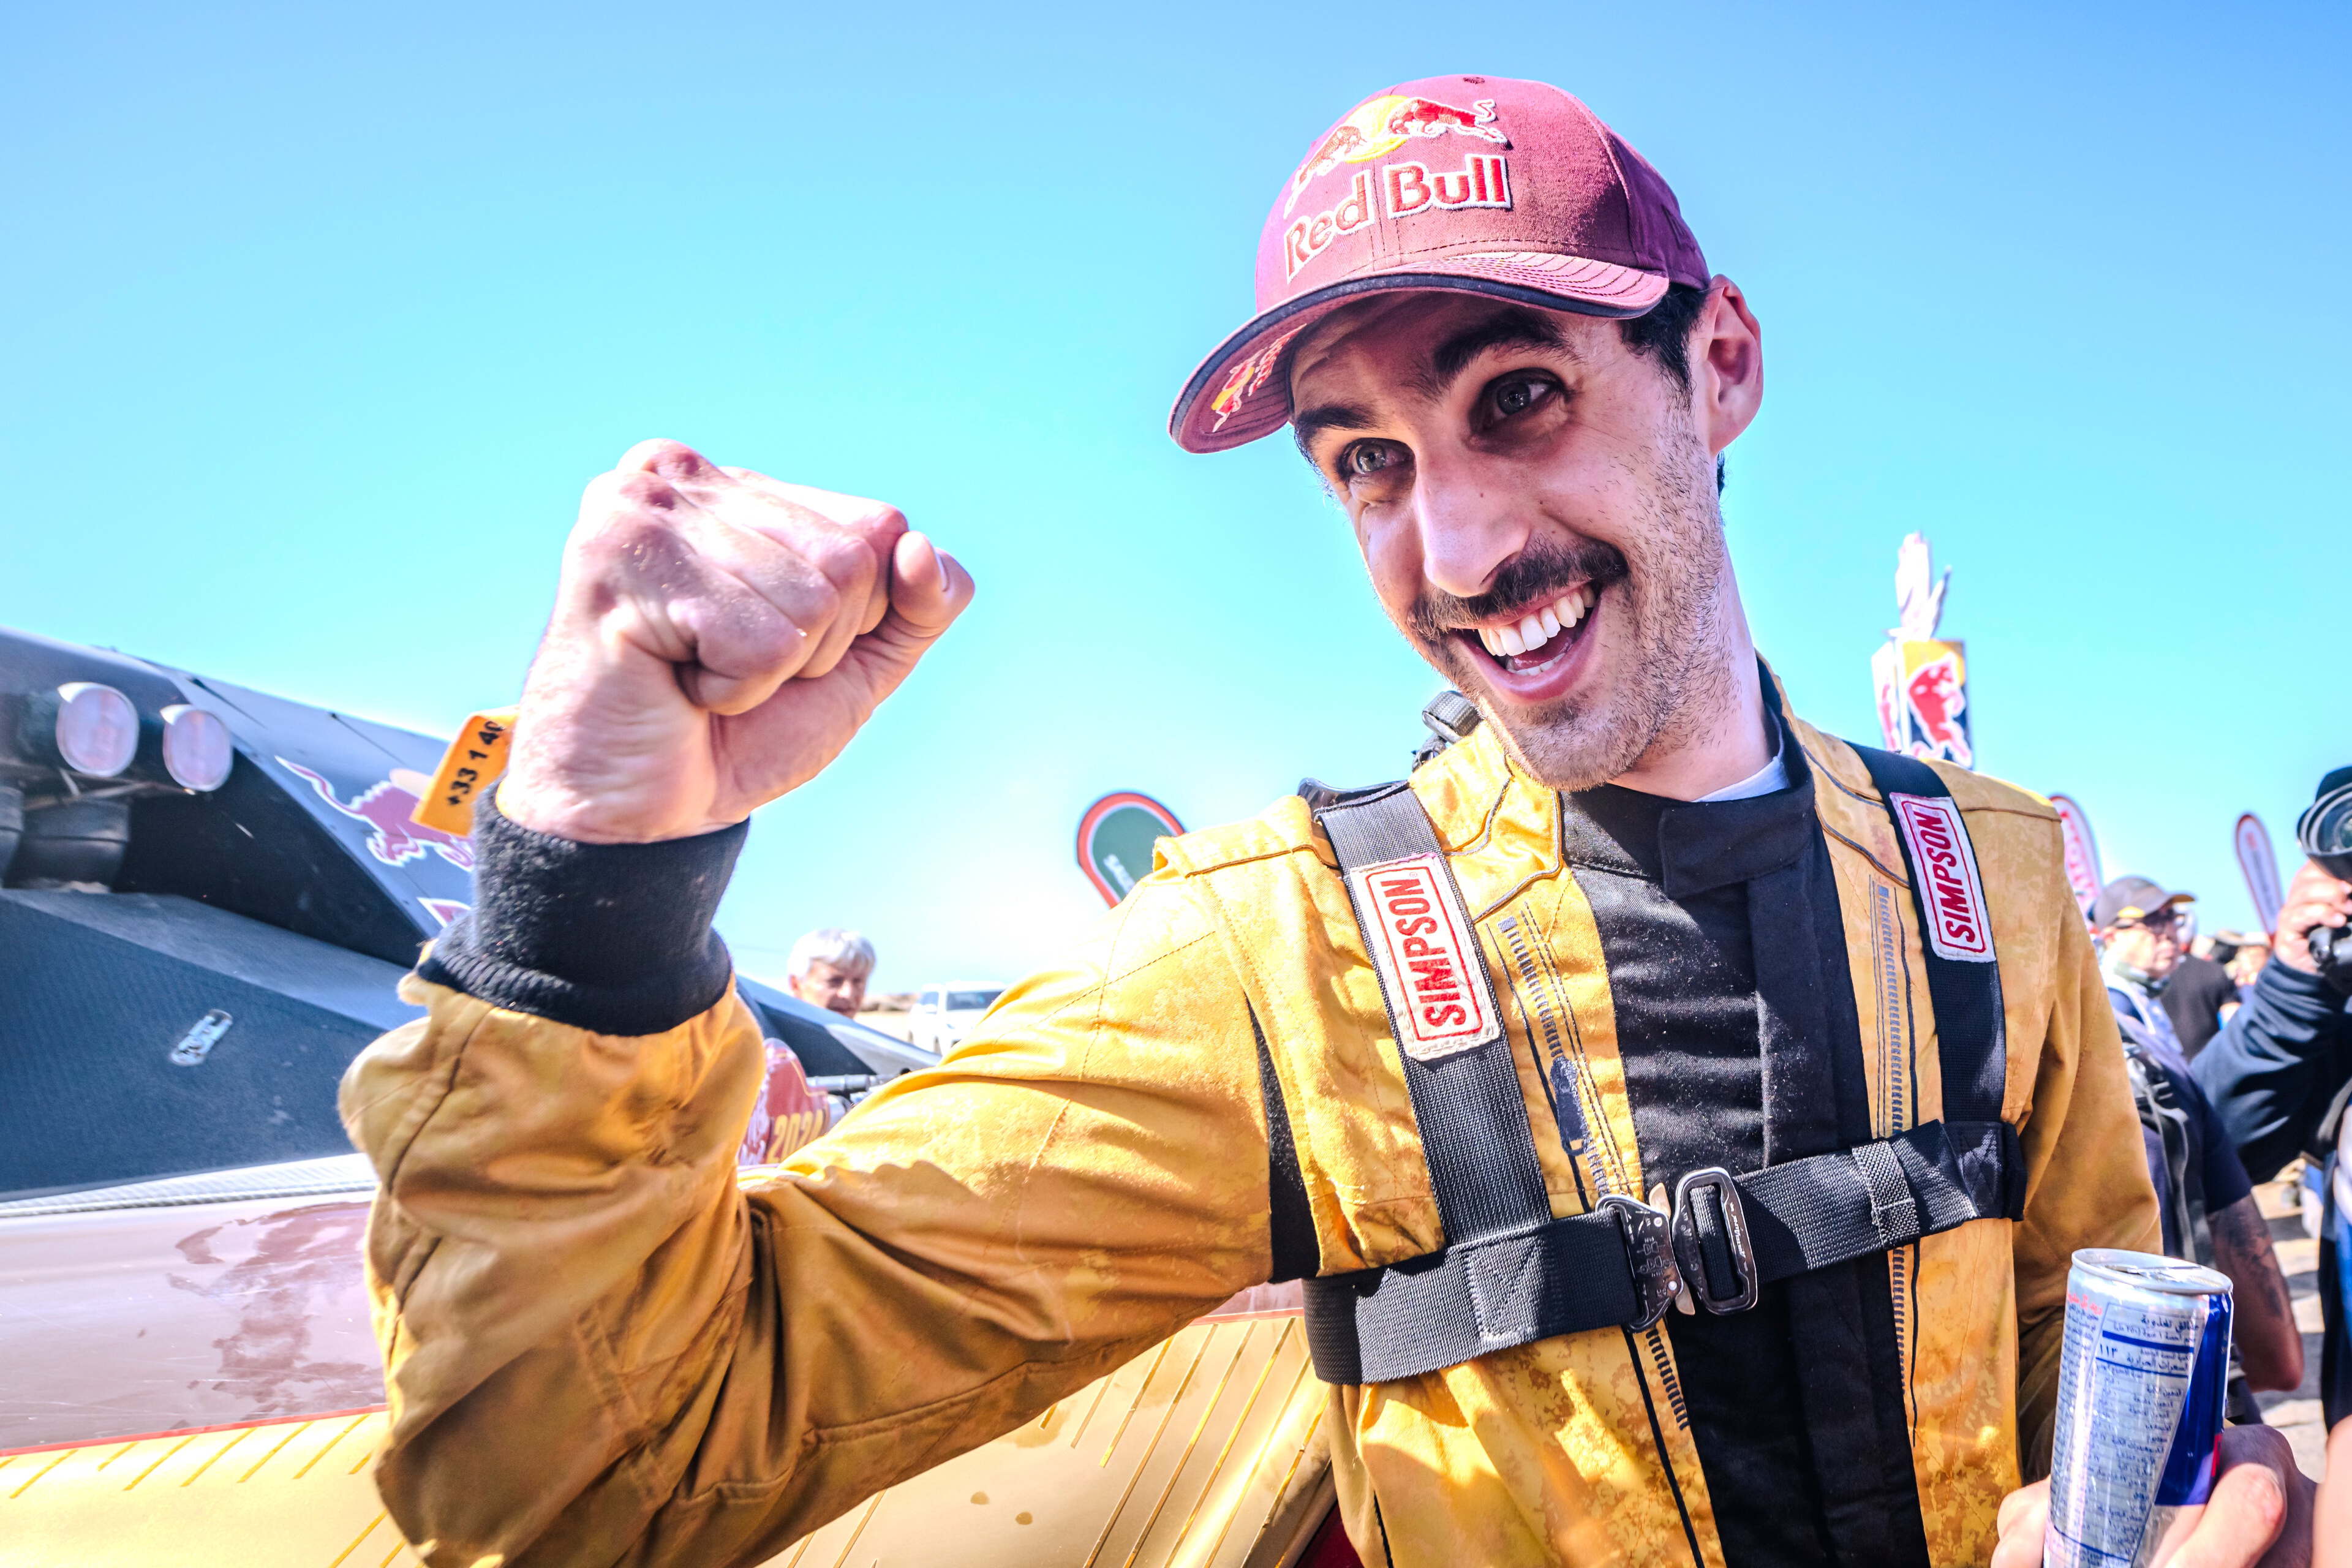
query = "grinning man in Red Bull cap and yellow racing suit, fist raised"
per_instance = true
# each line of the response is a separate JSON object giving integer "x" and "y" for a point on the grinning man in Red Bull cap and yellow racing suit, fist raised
{"x": 1681, "y": 1120}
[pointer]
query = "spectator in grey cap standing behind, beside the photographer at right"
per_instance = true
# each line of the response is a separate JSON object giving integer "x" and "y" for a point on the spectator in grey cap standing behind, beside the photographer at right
{"x": 2203, "y": 1188}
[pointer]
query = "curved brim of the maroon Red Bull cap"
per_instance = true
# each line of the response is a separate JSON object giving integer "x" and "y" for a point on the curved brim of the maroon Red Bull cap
{"x": 1243, "y": 389}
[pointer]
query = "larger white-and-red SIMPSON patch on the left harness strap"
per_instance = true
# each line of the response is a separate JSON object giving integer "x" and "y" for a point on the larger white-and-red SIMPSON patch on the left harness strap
{"x": 1429, "y": 960}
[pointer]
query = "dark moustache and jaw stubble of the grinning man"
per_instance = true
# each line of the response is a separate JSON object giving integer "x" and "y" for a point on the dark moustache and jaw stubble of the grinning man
{"x": 1664, "y": 674}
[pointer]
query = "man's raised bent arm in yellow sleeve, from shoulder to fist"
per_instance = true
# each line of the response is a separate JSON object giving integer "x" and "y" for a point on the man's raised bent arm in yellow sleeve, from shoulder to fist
{"x": 599, "y": 1351}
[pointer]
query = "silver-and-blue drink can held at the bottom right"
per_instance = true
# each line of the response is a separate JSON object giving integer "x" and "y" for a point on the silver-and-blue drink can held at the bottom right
{"x": 2141, "y": 1383}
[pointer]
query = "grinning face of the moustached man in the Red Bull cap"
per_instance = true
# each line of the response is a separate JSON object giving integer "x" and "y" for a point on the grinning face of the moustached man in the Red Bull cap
{"x": 1537, "y": 509}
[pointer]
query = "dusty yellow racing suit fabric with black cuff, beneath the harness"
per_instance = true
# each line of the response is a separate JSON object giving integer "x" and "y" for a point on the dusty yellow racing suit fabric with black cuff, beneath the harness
{"x": 599, "y": 1351}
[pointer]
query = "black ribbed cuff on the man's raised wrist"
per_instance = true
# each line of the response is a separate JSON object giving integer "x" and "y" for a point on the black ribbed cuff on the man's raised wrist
{"x": 603, "y": 937}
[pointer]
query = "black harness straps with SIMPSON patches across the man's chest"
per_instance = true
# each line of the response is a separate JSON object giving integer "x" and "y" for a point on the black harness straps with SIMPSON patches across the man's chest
{"x": 1511, "y": 1273}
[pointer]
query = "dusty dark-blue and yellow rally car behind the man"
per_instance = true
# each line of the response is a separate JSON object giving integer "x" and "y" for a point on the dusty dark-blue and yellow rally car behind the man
{"x": 208, "y": 902}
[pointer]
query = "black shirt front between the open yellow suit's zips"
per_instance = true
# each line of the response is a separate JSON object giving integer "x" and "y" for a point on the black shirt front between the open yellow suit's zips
{"x": 1796, "y": 1407}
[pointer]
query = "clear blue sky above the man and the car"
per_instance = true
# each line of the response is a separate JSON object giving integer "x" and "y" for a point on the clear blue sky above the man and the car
{"x": 316, "y": 321}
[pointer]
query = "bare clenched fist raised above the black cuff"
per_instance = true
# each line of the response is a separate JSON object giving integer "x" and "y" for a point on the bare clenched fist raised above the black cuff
{"x": 719, "y": 636}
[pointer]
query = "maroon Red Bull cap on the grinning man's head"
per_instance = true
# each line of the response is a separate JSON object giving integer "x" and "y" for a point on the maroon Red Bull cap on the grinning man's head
{"x": 1469, "y": 185}
